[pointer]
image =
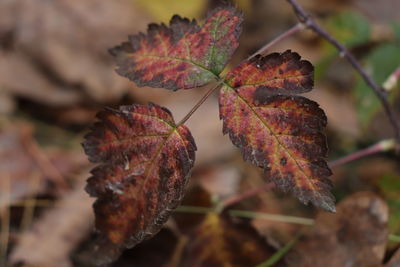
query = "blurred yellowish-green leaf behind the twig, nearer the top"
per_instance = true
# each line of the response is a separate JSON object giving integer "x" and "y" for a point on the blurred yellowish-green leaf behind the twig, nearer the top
{"x": 348, "y": 27}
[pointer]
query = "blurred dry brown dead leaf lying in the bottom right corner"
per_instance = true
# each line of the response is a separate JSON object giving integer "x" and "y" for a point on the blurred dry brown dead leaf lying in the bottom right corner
{"x": 355, "y": 236}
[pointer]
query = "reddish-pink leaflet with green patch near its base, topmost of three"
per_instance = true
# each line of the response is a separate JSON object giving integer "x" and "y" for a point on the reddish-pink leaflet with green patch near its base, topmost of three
{"x": 183, "y": 55}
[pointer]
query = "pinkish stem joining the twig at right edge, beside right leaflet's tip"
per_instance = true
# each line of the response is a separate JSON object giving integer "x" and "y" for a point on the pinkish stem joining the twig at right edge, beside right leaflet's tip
{"x": 382, "y": 146}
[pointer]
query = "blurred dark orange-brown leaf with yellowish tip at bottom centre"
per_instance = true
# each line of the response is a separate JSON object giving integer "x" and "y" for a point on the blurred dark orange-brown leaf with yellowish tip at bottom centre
{"x": 217, "y": 241}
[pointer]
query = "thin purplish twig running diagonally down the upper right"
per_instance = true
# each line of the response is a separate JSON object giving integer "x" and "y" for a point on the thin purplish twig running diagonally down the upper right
{"x": 305, "y": 18}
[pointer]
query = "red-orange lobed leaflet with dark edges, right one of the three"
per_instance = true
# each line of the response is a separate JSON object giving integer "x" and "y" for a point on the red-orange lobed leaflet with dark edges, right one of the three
{"x": 276, "y": 129}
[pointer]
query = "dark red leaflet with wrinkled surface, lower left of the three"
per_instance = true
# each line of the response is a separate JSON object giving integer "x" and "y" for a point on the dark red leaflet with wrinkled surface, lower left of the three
{"x": 145, "y": 163}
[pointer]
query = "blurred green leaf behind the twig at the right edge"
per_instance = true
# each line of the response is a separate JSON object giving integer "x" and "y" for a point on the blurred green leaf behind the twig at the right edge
{"x": 380, "y": 63}
